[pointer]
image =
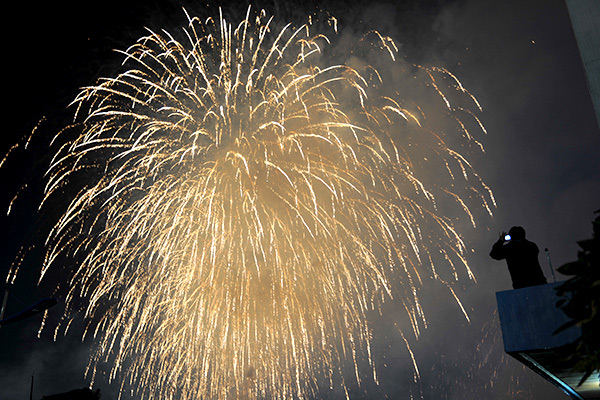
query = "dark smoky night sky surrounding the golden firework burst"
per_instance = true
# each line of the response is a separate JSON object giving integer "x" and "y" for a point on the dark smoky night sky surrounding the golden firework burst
{"x": 519, "y": 58}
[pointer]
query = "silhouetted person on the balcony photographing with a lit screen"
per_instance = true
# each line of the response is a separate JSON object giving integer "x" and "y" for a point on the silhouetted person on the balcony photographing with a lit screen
{"x": 521, "y": 256}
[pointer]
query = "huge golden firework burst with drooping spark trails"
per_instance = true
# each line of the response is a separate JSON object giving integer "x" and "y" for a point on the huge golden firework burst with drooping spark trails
{"x": 246, "y": 205}
